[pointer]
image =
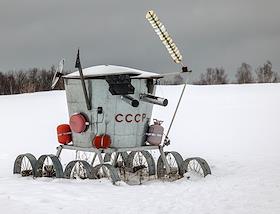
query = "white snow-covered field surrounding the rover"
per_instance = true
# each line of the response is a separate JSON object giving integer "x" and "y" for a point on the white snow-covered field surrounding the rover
{"x": 235, "y": 128}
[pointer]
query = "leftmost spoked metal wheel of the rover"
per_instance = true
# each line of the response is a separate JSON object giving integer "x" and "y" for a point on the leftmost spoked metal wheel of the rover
{"x": 25, "y": 165}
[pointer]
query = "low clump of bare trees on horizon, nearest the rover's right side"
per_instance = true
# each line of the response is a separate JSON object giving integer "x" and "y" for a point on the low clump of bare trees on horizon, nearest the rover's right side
{"x": 213, "y": 76}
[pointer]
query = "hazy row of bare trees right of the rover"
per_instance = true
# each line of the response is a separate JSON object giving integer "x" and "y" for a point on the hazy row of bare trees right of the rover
{"x": 244, "y": 74}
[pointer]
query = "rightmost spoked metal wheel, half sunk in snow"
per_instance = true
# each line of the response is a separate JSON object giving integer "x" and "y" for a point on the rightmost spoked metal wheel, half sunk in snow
{"x": 197, "y": 166}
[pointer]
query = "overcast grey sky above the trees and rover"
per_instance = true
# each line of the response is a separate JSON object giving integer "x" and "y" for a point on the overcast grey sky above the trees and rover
{"x": 212, "y": 33}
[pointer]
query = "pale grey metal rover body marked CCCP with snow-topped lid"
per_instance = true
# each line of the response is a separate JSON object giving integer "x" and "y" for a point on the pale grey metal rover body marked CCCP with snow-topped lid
{"x": 115, "y": 109}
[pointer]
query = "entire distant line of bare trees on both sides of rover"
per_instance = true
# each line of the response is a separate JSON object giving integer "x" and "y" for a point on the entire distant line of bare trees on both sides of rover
{"x": 33, "y": 80}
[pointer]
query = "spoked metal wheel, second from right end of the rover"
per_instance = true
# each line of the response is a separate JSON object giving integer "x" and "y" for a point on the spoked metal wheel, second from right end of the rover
{"x": 176, "y": 165}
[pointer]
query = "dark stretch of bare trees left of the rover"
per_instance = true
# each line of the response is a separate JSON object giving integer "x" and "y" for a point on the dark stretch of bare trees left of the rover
{"x": 27, "y": 81}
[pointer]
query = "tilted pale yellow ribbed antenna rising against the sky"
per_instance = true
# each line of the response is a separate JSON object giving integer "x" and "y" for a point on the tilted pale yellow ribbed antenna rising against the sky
{"x": 164, "y": 36}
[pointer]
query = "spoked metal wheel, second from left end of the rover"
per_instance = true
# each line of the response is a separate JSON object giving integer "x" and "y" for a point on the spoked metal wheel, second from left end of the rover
{"x": 48, "y": 166}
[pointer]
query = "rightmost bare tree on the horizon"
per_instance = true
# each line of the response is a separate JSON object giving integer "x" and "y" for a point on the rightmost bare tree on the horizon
{"x": 265, "y": 74}
